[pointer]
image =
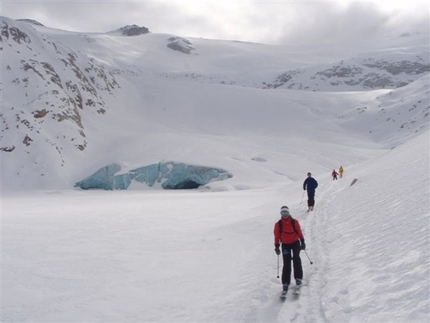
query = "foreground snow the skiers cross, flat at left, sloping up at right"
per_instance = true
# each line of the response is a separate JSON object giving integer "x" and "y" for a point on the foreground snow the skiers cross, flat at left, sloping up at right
{"x": 202, "y": 256}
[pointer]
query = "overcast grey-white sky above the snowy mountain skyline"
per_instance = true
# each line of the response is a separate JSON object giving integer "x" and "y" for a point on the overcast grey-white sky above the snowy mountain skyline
{"x": 269, "y": 22}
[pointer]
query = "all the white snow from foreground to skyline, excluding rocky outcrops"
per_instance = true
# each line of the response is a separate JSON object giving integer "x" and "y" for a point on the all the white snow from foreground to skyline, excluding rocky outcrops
{"x": 207, "y": 255}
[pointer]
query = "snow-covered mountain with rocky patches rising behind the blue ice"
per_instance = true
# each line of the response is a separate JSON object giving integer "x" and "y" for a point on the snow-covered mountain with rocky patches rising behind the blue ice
{"x": 68, "y": 98}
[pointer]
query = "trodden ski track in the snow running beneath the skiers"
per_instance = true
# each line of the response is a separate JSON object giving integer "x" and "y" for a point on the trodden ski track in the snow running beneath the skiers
{"x": 303, "y": 309}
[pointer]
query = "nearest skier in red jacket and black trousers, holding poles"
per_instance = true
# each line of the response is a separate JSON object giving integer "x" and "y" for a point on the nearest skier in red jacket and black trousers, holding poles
{"x": 289, "y": 237}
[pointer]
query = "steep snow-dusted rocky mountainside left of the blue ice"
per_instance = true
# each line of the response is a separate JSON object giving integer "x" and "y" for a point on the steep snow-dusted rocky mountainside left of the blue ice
{"x": 61, "y": 89}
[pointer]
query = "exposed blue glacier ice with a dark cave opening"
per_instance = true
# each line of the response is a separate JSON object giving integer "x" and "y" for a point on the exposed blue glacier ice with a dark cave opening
{"x": 170, "y": 175}
